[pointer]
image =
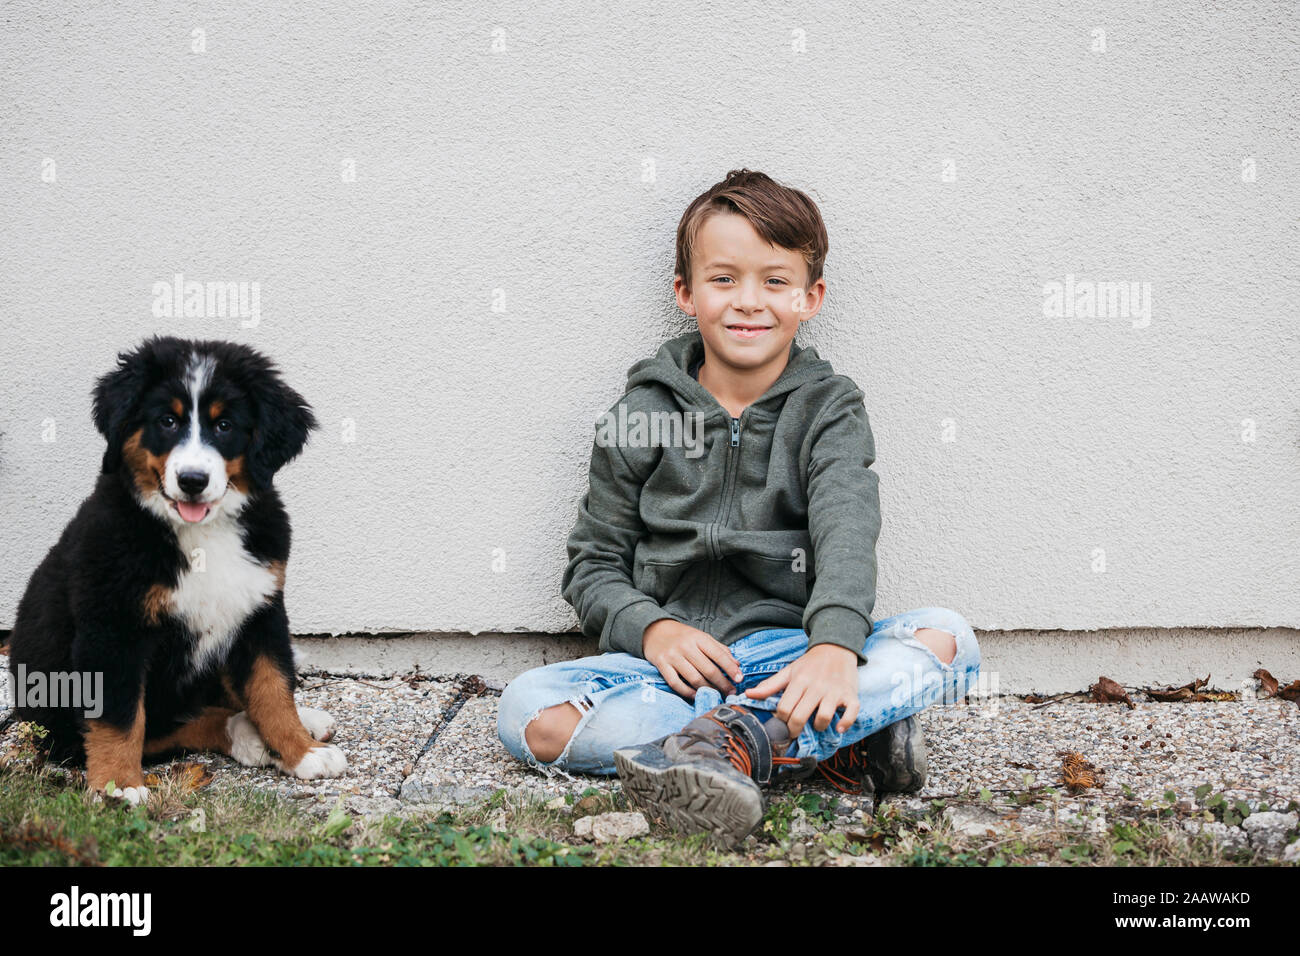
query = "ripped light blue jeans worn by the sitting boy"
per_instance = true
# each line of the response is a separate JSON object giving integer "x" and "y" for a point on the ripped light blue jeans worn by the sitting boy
{"x": 623, "y": 700}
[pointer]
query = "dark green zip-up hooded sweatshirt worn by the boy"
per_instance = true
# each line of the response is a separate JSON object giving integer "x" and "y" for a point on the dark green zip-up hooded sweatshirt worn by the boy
{"x": 731, "y": 526}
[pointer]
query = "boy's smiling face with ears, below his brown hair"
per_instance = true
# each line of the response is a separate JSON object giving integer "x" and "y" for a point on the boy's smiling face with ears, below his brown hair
{"x": 748, "y": 296}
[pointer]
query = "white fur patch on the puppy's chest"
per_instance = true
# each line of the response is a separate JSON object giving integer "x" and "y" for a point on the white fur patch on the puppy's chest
{"x": 223, "y": 586}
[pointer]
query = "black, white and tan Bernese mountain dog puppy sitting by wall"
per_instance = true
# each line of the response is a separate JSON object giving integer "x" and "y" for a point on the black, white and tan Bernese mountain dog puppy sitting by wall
{"x": 167, "y": 587}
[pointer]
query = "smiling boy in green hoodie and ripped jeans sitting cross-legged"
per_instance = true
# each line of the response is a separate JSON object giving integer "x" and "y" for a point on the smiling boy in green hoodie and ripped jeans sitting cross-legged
{"x": 726, "y": 548}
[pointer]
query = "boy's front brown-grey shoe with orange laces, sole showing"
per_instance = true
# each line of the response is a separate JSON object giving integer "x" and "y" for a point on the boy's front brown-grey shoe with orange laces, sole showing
{"x": 707, "y": 777}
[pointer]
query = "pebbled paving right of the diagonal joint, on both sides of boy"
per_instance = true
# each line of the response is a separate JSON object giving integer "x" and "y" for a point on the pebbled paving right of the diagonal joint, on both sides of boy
{"x": 1240, "y": 749}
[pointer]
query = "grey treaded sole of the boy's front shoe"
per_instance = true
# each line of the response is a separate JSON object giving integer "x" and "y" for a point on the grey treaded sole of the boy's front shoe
{"x": 691, "y": 797}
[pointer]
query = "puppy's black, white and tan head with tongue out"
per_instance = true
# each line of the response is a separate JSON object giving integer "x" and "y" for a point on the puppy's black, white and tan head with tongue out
{"x": 200, "y": 425}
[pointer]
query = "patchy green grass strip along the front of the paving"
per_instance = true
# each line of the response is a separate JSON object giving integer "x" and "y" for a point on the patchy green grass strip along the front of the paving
{"x": 49, "y": 819}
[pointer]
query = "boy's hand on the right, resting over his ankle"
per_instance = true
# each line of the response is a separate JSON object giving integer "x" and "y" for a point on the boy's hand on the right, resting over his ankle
{"x": 824, "y": 681}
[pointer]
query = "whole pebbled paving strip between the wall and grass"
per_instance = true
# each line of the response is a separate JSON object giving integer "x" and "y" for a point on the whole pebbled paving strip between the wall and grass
{"x": 385, "y": 725}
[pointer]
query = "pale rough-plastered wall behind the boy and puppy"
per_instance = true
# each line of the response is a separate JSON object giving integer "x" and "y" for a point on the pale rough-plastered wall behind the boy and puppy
{"x": 462, "y": 310}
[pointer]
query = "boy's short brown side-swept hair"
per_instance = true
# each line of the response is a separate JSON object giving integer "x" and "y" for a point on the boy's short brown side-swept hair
{"x": 782, "y": 215}
